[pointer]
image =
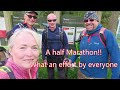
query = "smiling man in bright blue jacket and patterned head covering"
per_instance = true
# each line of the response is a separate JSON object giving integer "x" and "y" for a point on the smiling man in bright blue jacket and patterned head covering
{"x": 92, "y": 40}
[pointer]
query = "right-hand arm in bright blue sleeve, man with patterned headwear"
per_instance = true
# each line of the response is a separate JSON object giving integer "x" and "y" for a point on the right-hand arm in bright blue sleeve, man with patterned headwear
{"x": 114, "y": 52}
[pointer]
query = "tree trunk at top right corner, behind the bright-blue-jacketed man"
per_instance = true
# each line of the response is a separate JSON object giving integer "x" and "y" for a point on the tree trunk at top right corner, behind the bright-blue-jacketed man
{"x": 113, "y": 21}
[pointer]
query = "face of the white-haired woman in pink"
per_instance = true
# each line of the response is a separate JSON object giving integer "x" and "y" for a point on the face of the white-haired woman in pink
{"x": 25, "y": 51}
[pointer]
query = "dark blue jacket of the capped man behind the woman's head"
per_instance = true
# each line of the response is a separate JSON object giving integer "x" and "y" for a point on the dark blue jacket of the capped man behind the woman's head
{"x": 19, "y": 25}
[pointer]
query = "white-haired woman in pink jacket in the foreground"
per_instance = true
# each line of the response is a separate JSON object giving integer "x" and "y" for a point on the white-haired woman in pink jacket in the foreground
{"x": 24, "y": 49}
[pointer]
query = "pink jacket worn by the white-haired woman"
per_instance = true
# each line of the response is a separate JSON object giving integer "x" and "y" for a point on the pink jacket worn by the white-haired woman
{"x": 18, "y": 72}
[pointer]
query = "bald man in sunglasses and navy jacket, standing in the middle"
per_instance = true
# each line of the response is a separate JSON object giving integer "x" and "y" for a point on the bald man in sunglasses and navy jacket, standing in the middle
{"x": 54, "y": 40}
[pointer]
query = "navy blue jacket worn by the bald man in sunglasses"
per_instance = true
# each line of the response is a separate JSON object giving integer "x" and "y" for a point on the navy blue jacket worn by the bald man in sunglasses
{"x": 53, "y": 41}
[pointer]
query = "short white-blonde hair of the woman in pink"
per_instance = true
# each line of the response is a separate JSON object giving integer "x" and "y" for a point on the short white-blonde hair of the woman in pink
{"x": 23, "y": 30}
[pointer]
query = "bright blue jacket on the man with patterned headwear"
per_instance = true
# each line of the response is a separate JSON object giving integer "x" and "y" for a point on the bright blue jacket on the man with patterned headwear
{"x": 93, "y": 43}
